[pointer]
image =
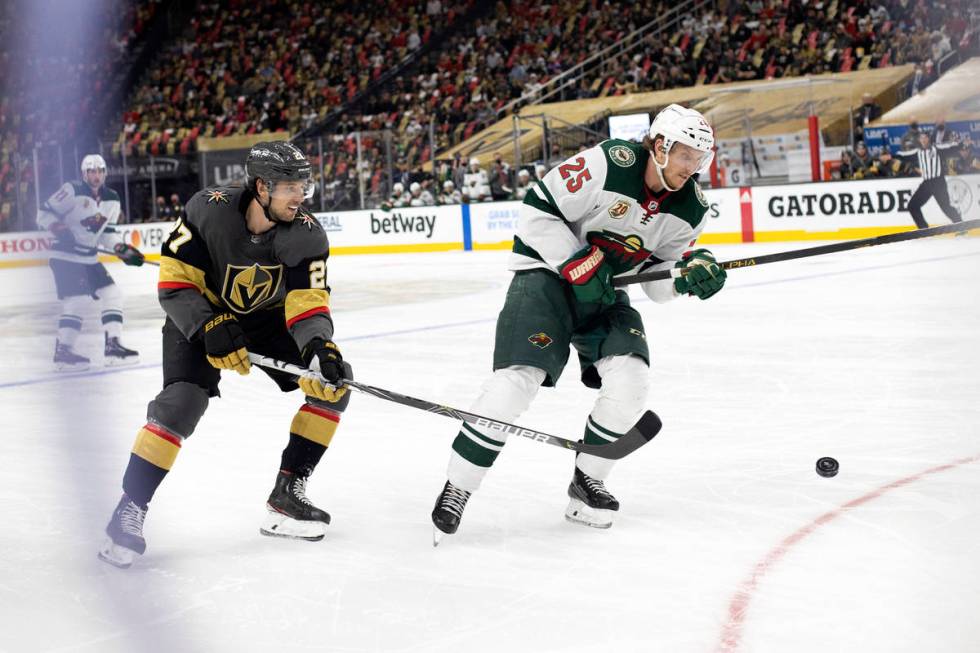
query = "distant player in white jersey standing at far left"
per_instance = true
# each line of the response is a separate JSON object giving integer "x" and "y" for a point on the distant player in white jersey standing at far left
{"x": 80, "y": 216}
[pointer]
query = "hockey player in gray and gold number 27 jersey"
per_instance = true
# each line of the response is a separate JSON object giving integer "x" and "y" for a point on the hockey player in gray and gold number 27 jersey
{"x": 244, "y": 271}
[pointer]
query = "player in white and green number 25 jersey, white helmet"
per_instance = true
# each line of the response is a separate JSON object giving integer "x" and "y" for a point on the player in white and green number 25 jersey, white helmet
{"x": 616, "y": 208}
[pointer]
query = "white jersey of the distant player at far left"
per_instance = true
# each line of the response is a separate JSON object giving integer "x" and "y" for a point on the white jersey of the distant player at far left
{"x": 87, "y": 215}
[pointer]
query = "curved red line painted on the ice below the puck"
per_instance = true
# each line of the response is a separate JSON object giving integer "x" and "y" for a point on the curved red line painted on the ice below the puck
{"x": 731, "y": 633}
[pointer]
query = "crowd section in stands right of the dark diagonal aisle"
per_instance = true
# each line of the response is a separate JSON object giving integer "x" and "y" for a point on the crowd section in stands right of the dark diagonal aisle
{"x": 510, "y": 55}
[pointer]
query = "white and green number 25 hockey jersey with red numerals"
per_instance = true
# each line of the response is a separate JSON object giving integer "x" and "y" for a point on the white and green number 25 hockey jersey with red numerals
{"x": 599, "y": 197}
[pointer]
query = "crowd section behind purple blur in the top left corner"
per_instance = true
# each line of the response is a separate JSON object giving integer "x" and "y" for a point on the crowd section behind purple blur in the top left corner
{"x": 53, "y": 83}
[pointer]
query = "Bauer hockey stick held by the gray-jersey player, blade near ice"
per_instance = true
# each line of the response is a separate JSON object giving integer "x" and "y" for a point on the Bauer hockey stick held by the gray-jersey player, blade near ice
{"x": 641, "y": 433}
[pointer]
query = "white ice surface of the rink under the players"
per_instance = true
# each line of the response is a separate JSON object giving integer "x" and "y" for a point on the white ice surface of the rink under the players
{"x": 727, "y": 539}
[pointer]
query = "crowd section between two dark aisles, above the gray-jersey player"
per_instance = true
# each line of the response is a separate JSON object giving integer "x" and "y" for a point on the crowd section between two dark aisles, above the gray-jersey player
{"x": 248, "y": 66}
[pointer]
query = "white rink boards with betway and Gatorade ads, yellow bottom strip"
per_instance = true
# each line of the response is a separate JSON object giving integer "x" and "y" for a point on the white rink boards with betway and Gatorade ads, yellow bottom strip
{"x": 823, "y": 211}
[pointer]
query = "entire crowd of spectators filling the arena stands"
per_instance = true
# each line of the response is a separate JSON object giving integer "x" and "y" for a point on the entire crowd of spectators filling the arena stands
{"x": 250, "y": 66}
